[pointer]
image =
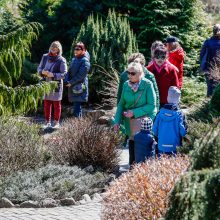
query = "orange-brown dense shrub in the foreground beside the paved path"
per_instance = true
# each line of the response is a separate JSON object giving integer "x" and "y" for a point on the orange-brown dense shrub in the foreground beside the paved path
{"x": 143, "y": 192}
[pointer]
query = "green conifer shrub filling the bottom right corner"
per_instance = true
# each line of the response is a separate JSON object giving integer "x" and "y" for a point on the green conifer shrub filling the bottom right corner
{"x": 196, "y": 196}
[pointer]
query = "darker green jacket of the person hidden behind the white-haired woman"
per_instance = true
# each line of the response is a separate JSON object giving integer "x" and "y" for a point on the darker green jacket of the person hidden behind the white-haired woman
{"x": 149, "y": 76}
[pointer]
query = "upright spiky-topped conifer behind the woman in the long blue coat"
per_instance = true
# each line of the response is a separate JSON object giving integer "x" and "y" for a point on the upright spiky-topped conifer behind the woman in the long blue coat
{"x": 109, "y": 44}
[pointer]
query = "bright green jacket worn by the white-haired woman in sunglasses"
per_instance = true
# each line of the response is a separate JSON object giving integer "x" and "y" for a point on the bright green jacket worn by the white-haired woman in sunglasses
{"x": 146, "y": 105}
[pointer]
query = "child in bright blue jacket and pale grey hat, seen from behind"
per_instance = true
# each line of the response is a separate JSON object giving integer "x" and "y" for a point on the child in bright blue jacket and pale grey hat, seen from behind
{"x": 169, "y": 125}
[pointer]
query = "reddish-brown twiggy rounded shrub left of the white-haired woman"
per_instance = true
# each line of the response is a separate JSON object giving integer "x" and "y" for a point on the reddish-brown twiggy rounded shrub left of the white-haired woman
{"x": 83, "y": 142}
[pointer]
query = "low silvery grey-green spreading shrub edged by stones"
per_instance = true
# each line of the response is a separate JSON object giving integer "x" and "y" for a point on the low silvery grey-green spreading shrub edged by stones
{"x": 51, "y": 181}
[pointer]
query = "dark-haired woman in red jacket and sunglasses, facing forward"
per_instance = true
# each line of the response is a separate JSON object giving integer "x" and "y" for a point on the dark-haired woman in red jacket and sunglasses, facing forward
{"x": 164, "y": 72}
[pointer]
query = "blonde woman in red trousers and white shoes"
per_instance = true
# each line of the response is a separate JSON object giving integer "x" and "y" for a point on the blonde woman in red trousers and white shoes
{"x": 53, "y": 68}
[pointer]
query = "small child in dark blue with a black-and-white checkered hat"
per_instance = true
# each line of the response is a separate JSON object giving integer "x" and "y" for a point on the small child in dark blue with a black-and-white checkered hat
{"x": 143, "y": 141}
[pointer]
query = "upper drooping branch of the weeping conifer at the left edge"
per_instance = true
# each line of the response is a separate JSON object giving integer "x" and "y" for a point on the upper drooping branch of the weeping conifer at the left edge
{"x": 14, "y": 47}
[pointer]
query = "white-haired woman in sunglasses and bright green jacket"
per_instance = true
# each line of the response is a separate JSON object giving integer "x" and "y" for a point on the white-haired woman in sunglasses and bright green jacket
{"x": 137, "y": 100}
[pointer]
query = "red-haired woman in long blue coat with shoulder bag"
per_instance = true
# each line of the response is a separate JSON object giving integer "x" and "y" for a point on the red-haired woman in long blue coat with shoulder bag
{"x": 77, "y": 79}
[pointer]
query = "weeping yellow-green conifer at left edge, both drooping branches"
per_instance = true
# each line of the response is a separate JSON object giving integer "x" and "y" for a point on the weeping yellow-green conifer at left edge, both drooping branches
{"x": 14, "y": 47}
